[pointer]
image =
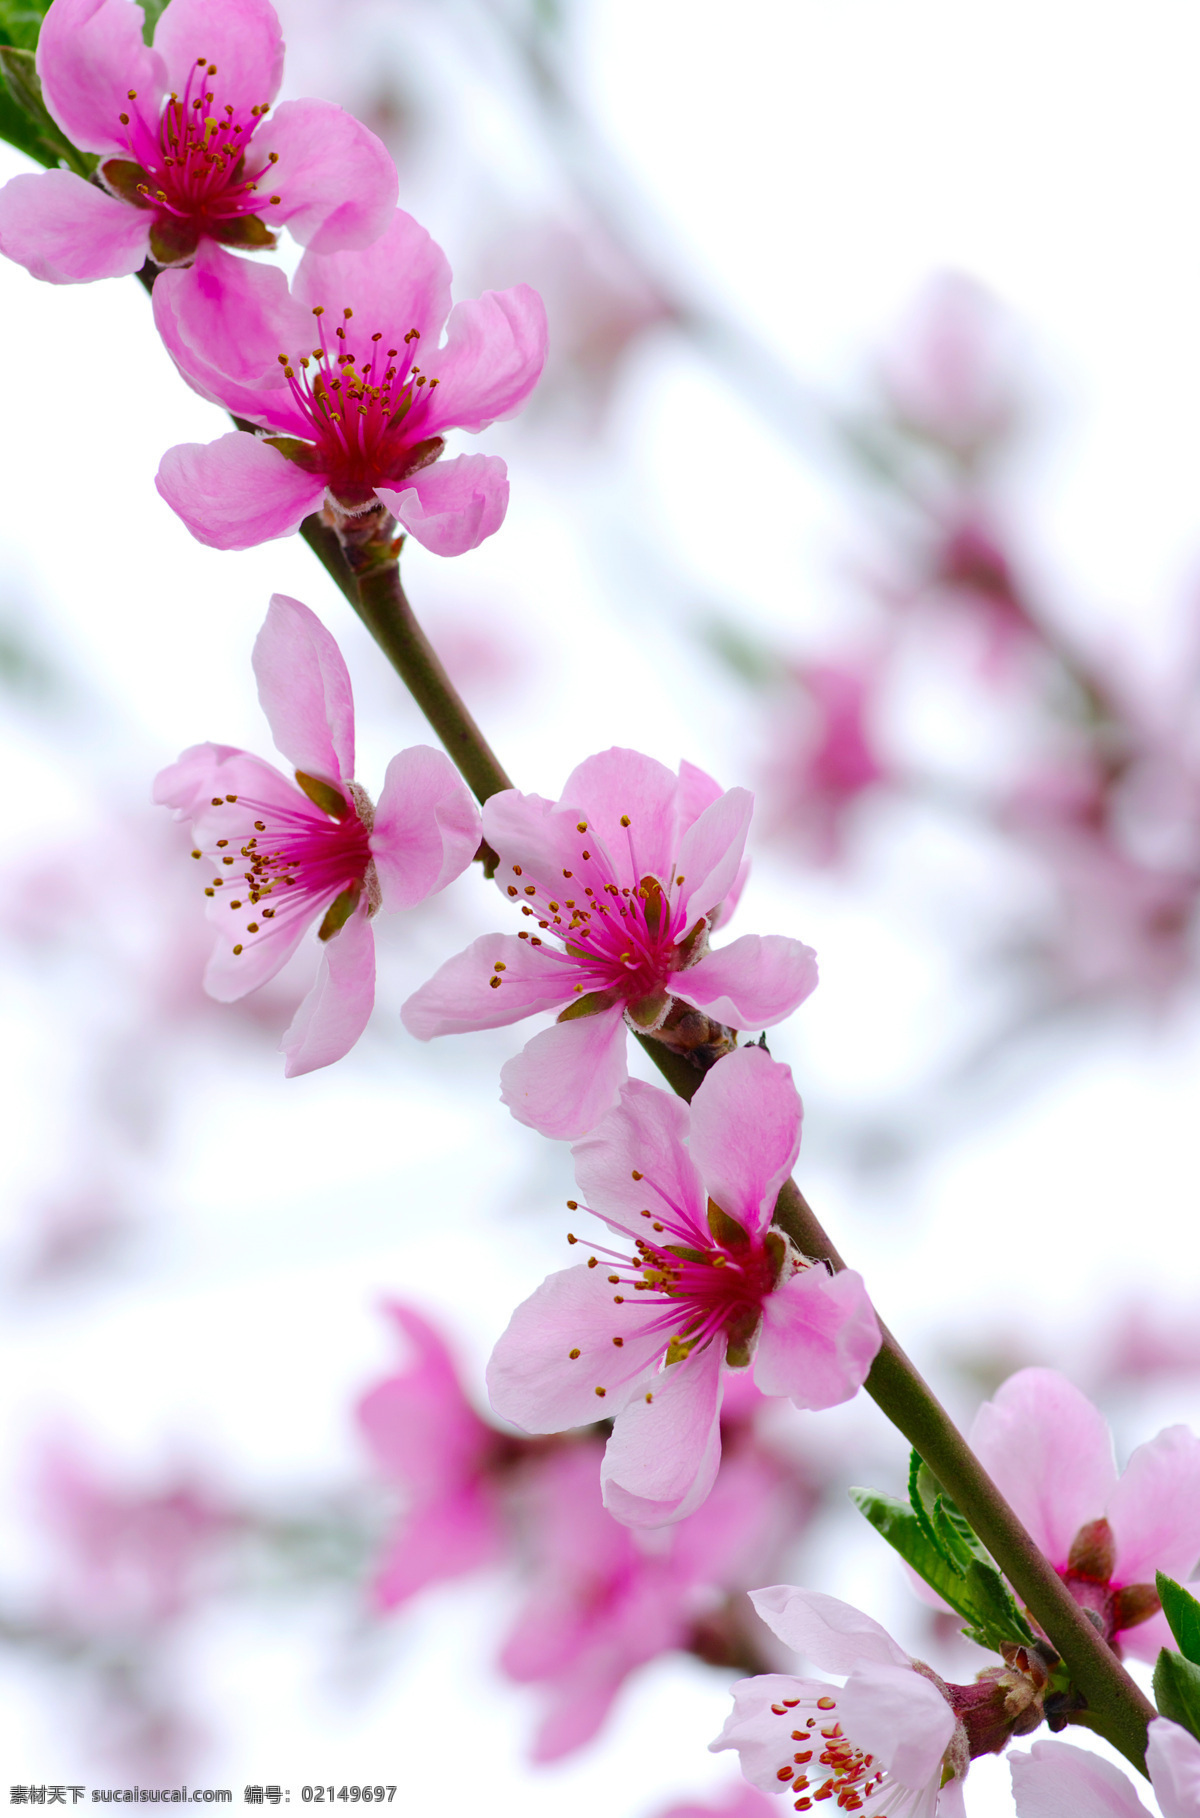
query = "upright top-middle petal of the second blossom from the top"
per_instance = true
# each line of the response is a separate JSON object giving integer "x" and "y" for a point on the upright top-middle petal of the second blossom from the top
{"x": 397, "y": 285}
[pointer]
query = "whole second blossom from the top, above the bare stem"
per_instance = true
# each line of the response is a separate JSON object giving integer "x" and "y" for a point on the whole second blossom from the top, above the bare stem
{"x": 352, "y": 390}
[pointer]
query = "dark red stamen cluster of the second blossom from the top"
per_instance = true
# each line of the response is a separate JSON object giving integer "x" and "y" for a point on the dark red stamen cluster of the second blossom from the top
{"x": 366, "y": 408}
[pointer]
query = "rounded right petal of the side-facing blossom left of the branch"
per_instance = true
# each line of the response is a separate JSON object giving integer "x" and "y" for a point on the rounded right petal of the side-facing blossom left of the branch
{"x": 426, "y": 828}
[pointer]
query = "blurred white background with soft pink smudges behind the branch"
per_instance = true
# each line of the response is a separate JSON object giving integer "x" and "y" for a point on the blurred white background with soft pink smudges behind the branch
{"x": 865, "y": 472}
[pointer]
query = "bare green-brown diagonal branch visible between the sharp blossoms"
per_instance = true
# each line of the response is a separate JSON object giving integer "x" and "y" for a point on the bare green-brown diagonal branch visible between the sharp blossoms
{"x": 370, "y": 577}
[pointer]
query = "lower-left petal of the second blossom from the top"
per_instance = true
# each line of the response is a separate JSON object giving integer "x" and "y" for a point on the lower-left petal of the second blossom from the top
{"x": 237, "y": 492}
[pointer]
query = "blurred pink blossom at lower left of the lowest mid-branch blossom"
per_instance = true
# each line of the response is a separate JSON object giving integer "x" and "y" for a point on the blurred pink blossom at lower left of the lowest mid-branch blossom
{"x": 428, "y": 1439}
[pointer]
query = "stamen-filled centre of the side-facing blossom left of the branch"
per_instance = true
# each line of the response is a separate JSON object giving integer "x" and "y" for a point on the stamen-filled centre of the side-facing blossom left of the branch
{"x": 281, "y": 864}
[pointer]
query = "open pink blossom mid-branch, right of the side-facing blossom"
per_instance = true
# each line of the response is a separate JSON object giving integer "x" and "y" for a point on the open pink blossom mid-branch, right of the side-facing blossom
{"x": 623, "y": 877}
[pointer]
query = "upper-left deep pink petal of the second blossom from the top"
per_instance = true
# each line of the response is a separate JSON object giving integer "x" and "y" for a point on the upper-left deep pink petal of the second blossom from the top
{"x": 226, "y": 321}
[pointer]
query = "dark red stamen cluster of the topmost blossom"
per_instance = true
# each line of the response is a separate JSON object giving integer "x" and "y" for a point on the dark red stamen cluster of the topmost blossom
{"x": 194, "y": 170}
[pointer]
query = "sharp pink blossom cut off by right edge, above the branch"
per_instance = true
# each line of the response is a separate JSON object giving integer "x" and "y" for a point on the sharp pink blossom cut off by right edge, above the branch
{"x": 1050, "y": 1452}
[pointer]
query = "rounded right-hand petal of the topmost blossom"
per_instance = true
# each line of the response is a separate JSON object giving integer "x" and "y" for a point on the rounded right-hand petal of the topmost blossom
{"x": 337, "y": 179}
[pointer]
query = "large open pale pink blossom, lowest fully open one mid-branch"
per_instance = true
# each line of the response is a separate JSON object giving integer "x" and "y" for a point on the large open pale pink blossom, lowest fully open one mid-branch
{"x": 699, "y": 1286}
